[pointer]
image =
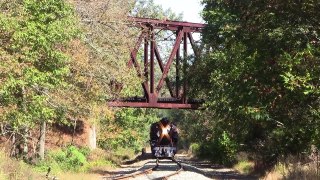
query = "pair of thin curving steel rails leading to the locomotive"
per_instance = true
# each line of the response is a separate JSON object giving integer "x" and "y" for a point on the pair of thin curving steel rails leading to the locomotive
{"x": 140, "y": 172}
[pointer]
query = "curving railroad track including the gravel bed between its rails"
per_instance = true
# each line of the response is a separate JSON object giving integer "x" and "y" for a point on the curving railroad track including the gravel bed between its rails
{"x": 161, "y": 170}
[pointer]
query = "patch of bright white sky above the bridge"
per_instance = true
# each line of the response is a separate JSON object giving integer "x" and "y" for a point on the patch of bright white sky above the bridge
{"x": 190, "y": 8}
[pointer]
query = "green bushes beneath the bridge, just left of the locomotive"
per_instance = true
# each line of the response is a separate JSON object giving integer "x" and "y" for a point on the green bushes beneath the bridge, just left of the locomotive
{"x": 129, "y": 129}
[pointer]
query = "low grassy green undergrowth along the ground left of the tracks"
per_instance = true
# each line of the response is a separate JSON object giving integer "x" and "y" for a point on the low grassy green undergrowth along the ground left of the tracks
{"x": 68, "y": 160}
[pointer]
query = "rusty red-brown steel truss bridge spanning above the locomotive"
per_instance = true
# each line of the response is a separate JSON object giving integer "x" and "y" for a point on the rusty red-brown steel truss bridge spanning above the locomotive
{"x": 177, "y": 90}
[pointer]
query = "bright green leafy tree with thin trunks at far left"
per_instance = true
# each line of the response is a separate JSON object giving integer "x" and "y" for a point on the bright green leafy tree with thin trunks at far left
{"x": 33, "y": 37}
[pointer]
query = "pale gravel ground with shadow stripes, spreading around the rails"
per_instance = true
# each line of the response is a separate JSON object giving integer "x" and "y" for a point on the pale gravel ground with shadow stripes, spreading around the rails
{"x": 192, "y": 169}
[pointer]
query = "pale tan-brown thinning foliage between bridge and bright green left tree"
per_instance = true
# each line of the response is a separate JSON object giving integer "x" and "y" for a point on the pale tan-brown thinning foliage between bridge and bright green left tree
{"x": 104, "y": 72}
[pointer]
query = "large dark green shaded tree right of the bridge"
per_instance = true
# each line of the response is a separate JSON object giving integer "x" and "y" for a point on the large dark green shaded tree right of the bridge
{"x": 263, "y": 69}
